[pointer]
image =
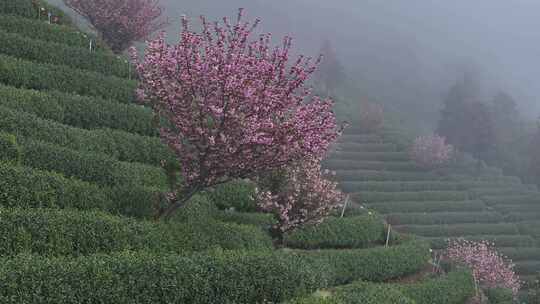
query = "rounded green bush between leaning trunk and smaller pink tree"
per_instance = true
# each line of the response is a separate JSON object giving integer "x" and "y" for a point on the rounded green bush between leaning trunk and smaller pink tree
{"x": 238, "y": 195}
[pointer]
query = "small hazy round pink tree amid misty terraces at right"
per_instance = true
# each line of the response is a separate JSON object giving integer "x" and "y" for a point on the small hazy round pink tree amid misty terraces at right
{"x": 431, "y": 151}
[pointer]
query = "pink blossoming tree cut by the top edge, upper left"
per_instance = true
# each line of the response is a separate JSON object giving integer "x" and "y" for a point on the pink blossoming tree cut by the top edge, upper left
{"x": 121, "y": 22}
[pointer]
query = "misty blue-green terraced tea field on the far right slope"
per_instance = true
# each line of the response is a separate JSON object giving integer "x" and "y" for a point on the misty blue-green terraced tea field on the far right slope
{"x": 458, "y": 201}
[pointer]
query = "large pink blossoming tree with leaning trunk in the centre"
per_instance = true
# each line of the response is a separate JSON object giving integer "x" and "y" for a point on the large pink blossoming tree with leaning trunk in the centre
{"x": 234, "y": 107}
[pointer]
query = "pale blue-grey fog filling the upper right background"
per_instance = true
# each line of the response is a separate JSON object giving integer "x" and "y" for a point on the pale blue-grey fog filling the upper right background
{"x": 407, "y": 53}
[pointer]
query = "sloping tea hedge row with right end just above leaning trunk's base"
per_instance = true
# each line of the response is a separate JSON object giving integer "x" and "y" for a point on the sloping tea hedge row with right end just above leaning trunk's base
{"x": 90, "y": 167}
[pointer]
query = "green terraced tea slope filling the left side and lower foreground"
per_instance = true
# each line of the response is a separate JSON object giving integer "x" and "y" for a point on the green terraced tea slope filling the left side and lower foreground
{"x": 80, "y": 176}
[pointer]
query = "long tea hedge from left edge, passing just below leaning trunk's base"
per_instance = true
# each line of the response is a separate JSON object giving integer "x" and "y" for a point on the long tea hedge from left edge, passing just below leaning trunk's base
{"x": 64, "y": 232}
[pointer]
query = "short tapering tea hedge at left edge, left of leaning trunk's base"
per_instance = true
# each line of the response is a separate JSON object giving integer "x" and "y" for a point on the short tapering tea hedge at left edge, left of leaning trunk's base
{"x": 29, "y": 188}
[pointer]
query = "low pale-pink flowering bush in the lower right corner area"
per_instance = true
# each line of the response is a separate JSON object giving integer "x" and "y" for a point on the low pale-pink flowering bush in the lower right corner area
{"x": 490, "y": 269}
